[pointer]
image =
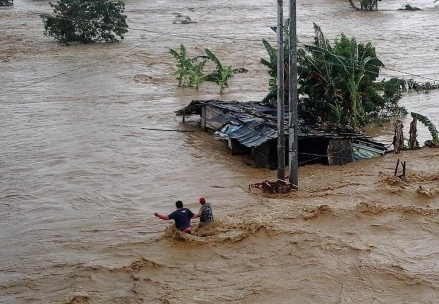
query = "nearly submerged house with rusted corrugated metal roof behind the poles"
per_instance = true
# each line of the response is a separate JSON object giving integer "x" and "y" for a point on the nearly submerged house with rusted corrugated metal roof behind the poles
{"x": 251, "y": 128}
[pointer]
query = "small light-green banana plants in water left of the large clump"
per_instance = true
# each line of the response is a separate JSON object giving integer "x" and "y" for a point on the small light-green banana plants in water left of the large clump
{"x": 190, "y": 71}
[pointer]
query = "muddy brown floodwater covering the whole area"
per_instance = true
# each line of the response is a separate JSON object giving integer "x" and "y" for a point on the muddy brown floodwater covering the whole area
{"x": 80, "y": 178}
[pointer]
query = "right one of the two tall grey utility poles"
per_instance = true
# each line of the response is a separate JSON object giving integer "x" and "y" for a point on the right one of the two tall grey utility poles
{"x": 292, "y": 101}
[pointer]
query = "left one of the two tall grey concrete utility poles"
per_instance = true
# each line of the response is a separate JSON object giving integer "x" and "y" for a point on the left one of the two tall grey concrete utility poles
{"x": 280, "y": 94}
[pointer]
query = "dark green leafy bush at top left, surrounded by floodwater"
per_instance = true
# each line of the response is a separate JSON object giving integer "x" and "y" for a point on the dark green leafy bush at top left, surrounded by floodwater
{"x": 86, "y": 21}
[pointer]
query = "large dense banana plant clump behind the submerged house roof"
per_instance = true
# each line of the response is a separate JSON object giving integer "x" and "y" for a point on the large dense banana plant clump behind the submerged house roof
{"x": 337, "y": 82}
